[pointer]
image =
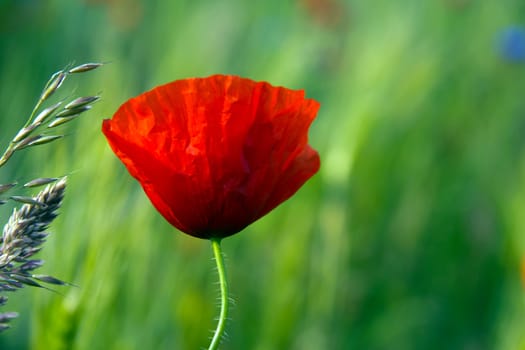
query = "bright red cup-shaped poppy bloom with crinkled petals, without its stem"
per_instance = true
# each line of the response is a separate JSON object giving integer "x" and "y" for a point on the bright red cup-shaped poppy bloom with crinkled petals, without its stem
{"x": 215, "y": 154}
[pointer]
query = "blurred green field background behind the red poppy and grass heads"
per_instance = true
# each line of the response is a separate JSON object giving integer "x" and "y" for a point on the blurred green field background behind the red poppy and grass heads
{"x": 410, "y": 237}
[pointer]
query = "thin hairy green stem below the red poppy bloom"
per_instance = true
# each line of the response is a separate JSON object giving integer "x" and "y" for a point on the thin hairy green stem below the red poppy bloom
{"x": 223, "y": 316}
